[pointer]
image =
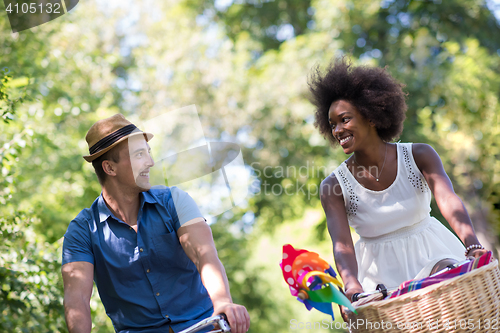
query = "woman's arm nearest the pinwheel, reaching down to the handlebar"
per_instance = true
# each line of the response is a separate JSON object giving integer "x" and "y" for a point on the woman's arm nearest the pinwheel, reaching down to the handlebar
{"x": 340, "y": 233}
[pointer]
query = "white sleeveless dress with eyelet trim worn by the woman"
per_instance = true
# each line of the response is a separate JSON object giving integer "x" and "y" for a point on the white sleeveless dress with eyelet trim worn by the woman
{"x": 399, "y": 240}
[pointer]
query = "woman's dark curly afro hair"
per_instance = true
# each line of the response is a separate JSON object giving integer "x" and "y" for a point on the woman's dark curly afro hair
{"x": 373, "y": 91}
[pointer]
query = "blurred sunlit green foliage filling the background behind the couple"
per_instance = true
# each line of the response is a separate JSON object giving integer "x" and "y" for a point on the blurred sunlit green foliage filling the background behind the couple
{"x": 249, "y": 86}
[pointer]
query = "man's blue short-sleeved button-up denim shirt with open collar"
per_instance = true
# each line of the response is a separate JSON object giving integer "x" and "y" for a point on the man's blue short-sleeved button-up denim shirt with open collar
{"x": 145, "y": 279}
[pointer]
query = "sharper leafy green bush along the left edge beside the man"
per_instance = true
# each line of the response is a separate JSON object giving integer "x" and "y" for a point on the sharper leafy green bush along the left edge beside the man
{"x": 31, "y": 286}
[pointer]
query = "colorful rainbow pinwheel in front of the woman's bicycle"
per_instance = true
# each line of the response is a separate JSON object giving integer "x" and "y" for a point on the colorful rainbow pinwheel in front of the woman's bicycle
{"x": 312, "y": 280}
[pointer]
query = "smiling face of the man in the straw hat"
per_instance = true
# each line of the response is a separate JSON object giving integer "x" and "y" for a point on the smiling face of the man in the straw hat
{"x": 139, "y": 161}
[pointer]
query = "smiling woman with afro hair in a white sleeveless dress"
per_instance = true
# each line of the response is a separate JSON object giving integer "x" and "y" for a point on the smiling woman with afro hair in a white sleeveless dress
{"x": 383, "y": 190}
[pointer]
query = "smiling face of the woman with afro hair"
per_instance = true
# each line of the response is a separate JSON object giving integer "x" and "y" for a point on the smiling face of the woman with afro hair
{"x": 348, "y": 126}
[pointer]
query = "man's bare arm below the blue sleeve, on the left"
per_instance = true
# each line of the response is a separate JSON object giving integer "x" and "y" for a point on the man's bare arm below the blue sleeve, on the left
{"x": 78, "y": 280}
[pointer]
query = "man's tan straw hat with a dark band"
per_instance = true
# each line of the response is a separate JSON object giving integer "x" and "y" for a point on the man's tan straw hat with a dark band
{"x": 107, "y": 133}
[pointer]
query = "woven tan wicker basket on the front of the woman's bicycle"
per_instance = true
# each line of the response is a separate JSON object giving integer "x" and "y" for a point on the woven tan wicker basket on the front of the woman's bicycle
{"x": 466, "y": 303}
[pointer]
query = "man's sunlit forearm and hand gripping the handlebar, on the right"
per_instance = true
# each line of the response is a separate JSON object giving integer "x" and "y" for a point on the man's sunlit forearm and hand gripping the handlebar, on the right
{"x": 197, "y": 241}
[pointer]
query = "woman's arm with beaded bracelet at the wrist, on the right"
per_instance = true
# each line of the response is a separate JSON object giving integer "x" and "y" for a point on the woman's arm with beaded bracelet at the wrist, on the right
{"x": 450, "y": 205}
